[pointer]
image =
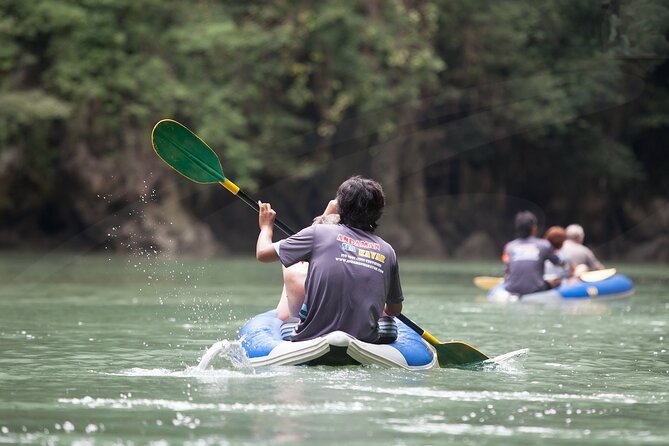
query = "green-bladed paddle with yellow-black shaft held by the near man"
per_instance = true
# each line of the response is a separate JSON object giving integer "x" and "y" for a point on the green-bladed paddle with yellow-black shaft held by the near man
{"x": 189, "y": 155}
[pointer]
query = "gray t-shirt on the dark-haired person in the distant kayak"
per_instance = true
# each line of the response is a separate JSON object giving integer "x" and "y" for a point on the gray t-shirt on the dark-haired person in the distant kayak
{"x": 525, "y": 259}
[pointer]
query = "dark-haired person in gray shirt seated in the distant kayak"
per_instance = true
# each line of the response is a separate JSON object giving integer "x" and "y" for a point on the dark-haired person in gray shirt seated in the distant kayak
{"x": 525, "y": 257}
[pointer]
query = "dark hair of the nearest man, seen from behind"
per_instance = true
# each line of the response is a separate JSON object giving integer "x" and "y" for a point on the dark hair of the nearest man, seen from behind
{"x": 360, "y": 202}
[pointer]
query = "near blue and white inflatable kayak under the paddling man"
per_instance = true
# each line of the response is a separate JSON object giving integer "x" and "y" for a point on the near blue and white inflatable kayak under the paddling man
{"x": 261, "y": 339}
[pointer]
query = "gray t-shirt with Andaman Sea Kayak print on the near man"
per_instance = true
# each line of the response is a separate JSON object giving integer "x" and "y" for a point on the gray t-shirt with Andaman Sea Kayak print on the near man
{"x": 352, "y": 274}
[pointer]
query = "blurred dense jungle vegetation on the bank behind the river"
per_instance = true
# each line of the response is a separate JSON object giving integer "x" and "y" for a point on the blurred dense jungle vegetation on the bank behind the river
{"x": 465, "y": 110}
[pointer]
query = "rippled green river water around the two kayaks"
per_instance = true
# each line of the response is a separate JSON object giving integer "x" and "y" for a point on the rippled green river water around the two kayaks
{"x": 97, "y": 350}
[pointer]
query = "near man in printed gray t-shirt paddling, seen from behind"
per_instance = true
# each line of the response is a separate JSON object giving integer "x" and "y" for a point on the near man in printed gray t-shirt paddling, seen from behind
{"x": 352, "y": 277}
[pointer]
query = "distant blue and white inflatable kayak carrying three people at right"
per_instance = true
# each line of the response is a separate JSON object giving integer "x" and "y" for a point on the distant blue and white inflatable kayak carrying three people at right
{"x": 615, "y": 287}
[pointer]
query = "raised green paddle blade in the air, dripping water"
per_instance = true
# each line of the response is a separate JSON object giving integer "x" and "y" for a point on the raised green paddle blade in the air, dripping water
{"x": 186, "y": 153}
